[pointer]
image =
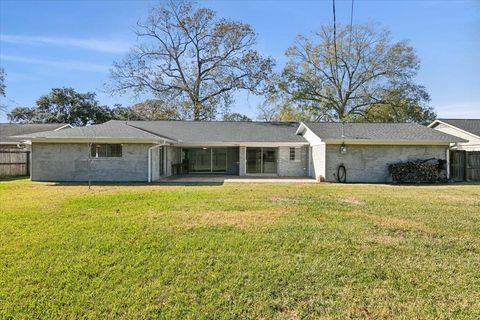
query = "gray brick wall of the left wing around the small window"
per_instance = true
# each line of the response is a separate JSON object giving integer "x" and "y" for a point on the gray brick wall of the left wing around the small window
{"x": 69, "y": 162}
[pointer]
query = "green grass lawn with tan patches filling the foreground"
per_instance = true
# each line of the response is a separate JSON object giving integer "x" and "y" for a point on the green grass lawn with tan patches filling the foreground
{"x": 239, "y": 251}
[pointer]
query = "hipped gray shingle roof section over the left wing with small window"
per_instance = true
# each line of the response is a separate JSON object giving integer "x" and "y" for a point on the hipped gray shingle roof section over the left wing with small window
{"x": 107, "y": 130}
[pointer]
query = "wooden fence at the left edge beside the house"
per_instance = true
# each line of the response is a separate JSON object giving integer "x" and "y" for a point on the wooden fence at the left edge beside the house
{"x": 14, "y": 163}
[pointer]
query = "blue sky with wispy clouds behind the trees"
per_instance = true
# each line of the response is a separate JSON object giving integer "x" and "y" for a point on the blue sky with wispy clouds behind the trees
{"x": 48, "y": 44}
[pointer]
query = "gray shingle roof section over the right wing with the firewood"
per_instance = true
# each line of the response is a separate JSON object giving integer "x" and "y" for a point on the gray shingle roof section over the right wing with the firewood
{"x": 379, "y": 131}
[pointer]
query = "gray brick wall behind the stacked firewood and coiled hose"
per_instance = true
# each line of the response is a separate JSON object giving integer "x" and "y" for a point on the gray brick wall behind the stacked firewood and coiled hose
{"x": 368, "y": 163}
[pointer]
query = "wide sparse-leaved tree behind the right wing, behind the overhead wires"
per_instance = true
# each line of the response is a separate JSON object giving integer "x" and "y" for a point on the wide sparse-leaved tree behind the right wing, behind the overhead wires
{"x": 347, "y": 75}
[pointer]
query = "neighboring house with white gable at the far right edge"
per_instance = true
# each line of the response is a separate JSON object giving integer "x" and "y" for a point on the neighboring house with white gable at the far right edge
{"x": 468, "y": 129}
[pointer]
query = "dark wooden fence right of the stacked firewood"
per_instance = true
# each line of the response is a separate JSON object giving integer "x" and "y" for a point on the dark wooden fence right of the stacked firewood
{"x": 465, "y": 165}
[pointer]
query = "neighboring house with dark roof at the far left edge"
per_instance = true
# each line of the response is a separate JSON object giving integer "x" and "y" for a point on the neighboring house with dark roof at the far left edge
{"x": 8, "y": 131}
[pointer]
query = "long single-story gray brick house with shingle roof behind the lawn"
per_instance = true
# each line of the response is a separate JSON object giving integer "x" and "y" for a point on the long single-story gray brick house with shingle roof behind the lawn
{"x": 152, "y": 150}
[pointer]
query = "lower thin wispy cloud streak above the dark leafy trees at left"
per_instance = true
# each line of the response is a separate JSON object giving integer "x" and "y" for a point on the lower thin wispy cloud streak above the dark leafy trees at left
{"x": 66, "y": 64}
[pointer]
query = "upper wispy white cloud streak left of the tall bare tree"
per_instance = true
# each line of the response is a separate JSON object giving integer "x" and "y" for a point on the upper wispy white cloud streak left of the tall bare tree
{"x": 108, "y": 46}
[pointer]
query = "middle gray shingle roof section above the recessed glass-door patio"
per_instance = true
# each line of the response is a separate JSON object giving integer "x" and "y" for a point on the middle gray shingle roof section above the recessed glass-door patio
{"x": 222, "y": 131}
